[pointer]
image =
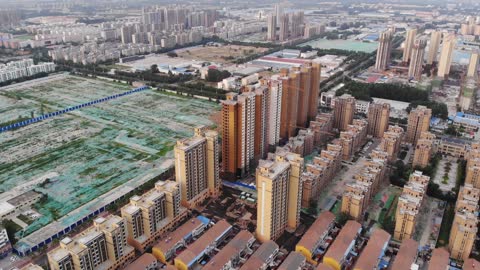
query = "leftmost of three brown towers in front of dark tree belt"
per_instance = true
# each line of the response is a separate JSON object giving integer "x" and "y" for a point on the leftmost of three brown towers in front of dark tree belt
{"x": 343, "y": 112}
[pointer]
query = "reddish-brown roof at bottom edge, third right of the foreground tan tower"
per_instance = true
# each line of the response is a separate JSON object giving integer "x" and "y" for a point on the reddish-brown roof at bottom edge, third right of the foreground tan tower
{"x": 374, "y": 250}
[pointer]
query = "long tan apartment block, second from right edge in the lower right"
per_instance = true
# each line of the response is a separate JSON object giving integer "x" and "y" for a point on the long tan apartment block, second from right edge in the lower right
{"x": 409, "y": 204}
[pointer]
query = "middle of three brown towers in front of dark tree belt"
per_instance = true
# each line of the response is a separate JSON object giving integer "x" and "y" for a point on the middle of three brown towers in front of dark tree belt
{"x": 378, "y": 116}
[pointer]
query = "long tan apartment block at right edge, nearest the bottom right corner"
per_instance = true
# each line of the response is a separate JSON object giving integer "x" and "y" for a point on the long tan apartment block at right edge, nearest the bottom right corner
{"x": 465, "y": 223}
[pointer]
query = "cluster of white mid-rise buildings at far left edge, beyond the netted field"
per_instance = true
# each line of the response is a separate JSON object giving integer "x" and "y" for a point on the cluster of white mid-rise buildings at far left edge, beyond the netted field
{"x": 23, "y": 68}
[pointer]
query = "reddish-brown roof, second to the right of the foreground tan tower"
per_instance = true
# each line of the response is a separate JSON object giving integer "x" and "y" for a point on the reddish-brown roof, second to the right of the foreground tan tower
{"x": 344, "y": 240}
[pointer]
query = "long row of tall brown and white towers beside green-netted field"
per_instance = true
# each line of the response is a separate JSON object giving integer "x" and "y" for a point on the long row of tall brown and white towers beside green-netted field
{"x": 255, "y": 120}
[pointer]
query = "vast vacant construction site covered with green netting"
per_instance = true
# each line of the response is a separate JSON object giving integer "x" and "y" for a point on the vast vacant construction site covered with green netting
{"x": 78, "y": 160}
